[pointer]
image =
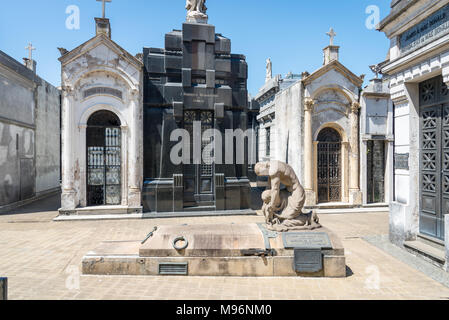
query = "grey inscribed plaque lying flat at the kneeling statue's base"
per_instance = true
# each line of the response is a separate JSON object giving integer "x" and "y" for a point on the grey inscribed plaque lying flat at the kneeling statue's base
{"x": 306, "y": 240}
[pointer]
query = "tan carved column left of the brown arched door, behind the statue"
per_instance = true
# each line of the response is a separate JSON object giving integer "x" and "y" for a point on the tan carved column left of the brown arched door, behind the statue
{"x": 308, "y": 153}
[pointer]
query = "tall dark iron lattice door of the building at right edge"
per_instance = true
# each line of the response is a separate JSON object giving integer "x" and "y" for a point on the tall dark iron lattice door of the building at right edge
{"x": 434, "y": 167}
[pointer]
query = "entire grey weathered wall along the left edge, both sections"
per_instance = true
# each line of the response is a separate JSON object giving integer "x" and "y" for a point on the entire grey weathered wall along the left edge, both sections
{"x": 29, "y": 133}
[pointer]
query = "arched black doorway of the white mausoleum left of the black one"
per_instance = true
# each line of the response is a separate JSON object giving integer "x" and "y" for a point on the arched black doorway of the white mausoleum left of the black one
{"x": 103, "y": 159}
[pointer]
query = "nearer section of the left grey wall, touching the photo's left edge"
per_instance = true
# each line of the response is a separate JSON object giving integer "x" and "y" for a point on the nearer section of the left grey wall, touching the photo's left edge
{"x": 17, "y": 112}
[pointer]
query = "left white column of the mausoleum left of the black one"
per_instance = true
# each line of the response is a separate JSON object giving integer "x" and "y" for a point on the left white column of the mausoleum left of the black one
{"x": 68, "y": 196}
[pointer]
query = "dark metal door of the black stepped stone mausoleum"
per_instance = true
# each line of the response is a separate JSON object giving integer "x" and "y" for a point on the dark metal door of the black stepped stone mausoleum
{"x": 199, "y": 178}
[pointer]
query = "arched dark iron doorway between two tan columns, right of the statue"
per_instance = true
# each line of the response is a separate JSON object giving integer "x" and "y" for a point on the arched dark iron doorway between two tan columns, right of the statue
{"x": 329, "y": 166}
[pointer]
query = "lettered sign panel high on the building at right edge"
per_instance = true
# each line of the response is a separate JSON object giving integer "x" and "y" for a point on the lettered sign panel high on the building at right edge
{"x": 431, "y": 29}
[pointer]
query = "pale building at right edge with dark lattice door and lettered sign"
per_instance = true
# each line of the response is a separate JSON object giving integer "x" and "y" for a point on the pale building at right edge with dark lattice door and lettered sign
{"x": 417, "y": 69}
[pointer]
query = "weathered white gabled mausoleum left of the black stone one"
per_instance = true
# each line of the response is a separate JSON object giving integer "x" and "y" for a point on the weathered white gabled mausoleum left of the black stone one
{"x": 102, "y": 147}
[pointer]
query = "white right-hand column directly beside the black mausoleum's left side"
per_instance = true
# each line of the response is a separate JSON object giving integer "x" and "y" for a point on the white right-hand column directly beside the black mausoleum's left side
{"x": 135, "y": 158}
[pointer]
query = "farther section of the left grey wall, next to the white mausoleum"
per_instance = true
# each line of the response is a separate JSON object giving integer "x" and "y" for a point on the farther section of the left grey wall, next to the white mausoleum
{"x": 47, "y": 138}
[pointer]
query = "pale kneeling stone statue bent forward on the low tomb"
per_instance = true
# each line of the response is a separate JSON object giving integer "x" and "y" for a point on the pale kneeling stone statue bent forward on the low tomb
{"x": 283, "y": 208}
